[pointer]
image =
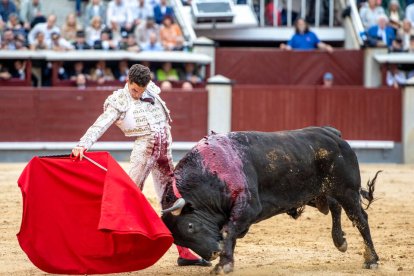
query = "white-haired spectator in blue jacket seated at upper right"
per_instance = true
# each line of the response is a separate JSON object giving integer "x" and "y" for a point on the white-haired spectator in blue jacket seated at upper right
{"x": 381, "y": 34}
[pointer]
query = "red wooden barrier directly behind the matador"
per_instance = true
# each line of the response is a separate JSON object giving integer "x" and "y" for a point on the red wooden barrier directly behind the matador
{"x": 64, "y": 114}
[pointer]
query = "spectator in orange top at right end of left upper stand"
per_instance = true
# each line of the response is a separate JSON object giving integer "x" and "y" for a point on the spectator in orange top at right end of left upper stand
{"x": 170, "y": 35}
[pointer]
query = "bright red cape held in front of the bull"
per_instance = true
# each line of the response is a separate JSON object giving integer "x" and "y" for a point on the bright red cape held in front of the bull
{"x": 79, "y": 219}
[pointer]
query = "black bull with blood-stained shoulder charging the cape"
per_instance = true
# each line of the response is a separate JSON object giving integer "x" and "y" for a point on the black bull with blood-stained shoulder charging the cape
{"x": 230, "y": 181}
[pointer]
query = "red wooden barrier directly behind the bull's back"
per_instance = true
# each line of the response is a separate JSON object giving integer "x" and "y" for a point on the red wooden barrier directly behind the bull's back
{"x": 360, "y": 113}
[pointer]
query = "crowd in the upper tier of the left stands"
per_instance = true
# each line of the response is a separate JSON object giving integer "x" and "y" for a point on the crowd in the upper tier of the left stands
{"x": 132, "y": 25}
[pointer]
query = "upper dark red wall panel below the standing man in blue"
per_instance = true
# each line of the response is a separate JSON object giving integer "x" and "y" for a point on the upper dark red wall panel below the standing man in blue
{"x": 275, "y": 67}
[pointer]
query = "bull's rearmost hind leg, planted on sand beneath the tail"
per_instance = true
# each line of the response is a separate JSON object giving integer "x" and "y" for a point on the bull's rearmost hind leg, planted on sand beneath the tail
{"x": 352, "y": 205}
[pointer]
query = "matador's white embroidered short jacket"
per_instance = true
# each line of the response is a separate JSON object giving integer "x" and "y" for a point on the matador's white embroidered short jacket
{"x": 133, "y": 117}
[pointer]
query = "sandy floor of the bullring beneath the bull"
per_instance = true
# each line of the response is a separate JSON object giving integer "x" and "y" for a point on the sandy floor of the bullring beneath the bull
{"x": 278, "y": 246}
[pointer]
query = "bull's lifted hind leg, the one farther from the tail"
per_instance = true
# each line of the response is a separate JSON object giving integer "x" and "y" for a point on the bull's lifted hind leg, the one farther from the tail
{"x": 337, "y": 233}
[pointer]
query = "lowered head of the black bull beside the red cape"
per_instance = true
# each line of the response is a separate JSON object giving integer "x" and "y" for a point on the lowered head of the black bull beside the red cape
{"x": 194, "y": 229}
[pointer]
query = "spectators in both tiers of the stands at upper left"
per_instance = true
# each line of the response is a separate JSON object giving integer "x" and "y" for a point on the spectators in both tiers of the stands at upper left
{"x": 130, "y": 25}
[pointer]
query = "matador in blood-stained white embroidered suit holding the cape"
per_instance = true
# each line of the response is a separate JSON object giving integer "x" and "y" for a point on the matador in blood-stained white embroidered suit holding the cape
{"x": 138, "y": 110}
